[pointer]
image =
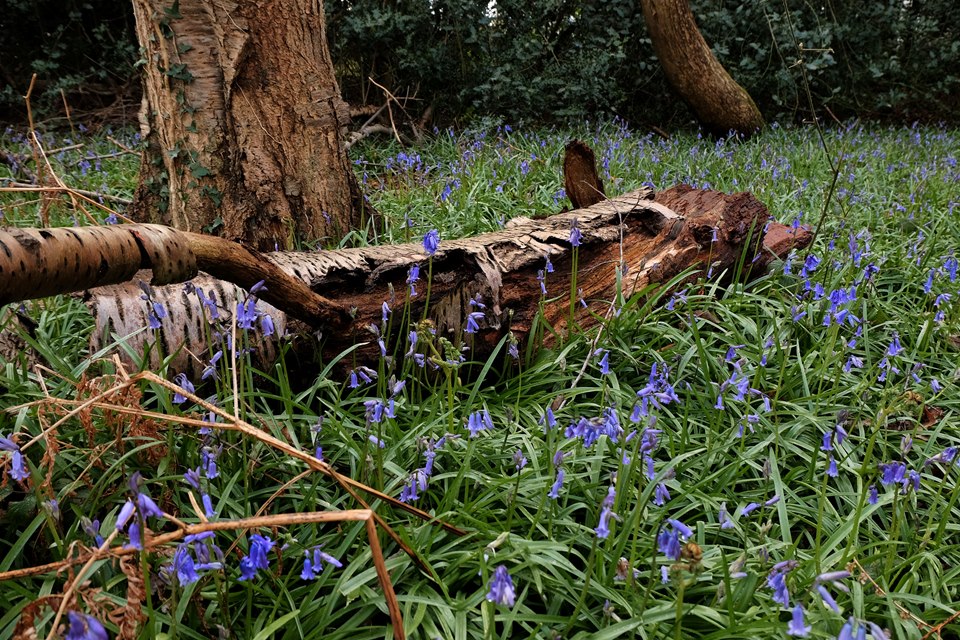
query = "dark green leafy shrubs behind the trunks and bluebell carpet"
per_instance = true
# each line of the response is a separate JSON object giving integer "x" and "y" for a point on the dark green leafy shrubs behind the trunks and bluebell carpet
{"x": 549, "y": 59}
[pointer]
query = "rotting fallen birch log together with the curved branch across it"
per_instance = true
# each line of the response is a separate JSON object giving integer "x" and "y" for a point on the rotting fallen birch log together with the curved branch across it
{"x": 650, "y": 237}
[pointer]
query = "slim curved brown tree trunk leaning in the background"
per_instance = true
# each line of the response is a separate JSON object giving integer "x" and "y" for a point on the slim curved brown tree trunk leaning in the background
{"x": 720, "y": 103}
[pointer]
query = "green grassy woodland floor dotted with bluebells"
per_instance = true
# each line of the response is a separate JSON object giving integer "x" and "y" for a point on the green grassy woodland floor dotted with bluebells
{"x": 777, "y": 458}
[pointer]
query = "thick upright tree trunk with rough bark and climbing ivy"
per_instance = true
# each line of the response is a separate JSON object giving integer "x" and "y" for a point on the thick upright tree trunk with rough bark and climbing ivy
{"x": 242, "y": 121}
